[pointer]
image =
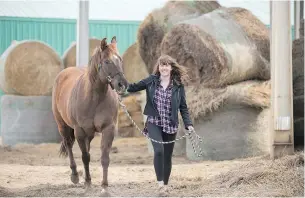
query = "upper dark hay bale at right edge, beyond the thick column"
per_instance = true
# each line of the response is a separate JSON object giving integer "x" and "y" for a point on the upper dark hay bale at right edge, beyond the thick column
{"x": 298, "y": 66}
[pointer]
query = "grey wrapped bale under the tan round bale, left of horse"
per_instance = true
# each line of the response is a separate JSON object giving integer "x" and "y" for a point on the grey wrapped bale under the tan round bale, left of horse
{"x": 28, "y": 119}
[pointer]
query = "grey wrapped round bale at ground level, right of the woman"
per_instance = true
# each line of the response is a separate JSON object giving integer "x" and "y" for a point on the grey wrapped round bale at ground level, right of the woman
{"x": 234, "y": 131}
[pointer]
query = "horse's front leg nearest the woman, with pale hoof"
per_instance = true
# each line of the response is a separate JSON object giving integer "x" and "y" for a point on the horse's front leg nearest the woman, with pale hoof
{"x": 106, "y": 143}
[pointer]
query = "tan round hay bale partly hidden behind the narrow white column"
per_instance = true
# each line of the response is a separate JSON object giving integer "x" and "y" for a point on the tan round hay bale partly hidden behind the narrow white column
{"x": 69, "y": 56}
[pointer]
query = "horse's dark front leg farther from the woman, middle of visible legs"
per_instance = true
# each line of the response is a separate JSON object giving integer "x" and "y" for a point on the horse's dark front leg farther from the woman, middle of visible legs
{"x": 84, "y": 140}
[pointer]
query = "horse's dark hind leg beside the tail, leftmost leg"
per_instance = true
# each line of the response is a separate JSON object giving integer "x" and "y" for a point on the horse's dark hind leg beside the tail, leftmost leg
{"x": 66, "y": 149}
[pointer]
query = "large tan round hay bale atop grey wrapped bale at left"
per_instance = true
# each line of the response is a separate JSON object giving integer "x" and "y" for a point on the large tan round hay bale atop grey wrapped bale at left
{"x": 29, "y": 68}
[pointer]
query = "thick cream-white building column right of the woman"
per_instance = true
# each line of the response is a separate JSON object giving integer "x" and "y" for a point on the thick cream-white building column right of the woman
{"x": 281, "y": 126}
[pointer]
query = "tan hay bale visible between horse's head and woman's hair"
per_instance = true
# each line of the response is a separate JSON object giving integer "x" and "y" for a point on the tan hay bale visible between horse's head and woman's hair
{"x": 133, "y": 66}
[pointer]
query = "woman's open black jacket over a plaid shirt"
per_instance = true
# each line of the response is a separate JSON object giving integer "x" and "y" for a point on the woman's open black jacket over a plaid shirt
{"x": 178, "y": 99}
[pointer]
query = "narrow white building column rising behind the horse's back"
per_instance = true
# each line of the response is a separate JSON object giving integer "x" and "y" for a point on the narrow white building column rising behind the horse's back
{"x": 82, "y": 40}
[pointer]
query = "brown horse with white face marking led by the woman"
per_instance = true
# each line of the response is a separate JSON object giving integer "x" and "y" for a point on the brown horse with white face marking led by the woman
{"x": 84, "y": 103}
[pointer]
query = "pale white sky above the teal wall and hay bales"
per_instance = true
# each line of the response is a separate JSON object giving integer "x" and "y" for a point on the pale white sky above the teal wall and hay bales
{"x": 114, "y": 9}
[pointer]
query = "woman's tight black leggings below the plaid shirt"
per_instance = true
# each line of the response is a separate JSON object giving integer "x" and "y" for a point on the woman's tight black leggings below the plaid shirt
{"x": 163, "y": 152}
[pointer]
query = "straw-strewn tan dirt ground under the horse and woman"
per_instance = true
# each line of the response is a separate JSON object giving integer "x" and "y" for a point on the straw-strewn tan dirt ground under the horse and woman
{"x": 37, "y": 170}
